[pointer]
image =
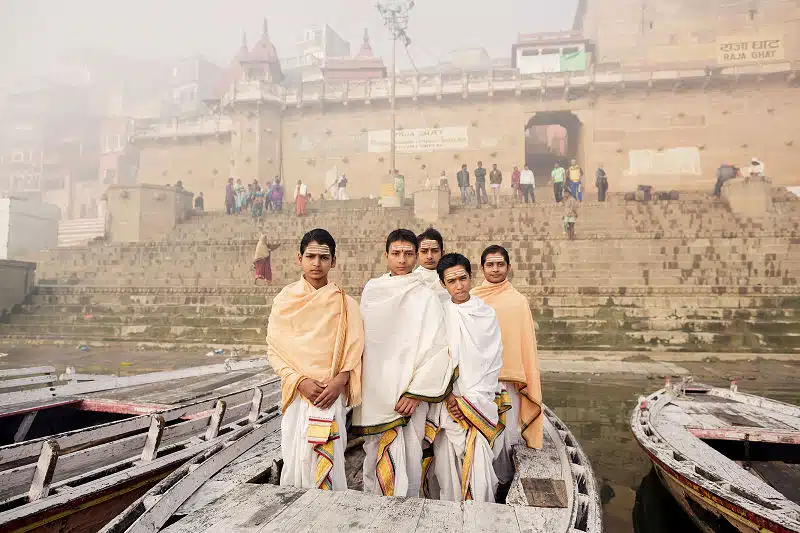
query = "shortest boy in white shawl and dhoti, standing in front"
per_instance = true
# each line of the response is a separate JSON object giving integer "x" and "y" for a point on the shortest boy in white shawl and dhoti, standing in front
{"x": 473, "y": 418}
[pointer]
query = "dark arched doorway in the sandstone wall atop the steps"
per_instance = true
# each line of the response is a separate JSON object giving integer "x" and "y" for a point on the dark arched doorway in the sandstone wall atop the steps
{"x": 550, "y": 137}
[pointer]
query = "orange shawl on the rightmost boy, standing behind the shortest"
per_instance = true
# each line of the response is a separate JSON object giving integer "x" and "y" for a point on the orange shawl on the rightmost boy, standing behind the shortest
{"x": 520, "y": 362}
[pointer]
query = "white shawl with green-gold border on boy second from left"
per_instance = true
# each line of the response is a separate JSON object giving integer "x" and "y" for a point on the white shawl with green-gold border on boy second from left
{"x": 405, "y": 351}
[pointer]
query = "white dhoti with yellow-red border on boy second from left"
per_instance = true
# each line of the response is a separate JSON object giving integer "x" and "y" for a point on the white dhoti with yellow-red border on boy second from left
{"x": 406, "y": 454}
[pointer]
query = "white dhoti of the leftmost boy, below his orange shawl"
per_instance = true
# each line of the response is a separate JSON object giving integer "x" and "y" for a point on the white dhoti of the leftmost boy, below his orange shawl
{"x": 301, "y": 458}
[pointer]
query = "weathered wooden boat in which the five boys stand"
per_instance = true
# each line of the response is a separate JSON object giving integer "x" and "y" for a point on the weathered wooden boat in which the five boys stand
{"x": 554, "y": 491}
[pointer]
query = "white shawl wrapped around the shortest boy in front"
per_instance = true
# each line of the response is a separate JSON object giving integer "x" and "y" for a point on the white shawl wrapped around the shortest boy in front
{"x": 476, "y": 348}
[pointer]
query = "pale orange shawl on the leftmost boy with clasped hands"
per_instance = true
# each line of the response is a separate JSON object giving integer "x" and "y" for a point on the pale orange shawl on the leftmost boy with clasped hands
{"x": 315, "y": 334}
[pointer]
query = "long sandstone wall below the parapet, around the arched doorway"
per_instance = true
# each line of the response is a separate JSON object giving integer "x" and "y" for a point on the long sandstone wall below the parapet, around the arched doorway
{"x": 672, "y": 140}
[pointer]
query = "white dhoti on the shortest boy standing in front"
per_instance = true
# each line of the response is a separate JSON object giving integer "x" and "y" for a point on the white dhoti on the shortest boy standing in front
{"x": 449, "y": 449}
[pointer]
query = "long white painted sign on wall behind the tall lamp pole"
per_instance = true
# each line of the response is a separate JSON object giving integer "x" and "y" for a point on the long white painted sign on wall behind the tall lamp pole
{"x": 419, "y": 140}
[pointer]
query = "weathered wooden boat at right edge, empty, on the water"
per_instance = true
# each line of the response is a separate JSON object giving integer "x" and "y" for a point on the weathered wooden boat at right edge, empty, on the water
{"x": 731, "y": 460}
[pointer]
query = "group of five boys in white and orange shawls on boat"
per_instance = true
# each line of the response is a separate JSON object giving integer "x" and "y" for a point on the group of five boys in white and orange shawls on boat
{"x": 442, "y": 378}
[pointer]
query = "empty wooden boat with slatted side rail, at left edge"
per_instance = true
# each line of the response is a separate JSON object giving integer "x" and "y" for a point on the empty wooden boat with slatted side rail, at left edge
{"x": 79, "y": 479}
